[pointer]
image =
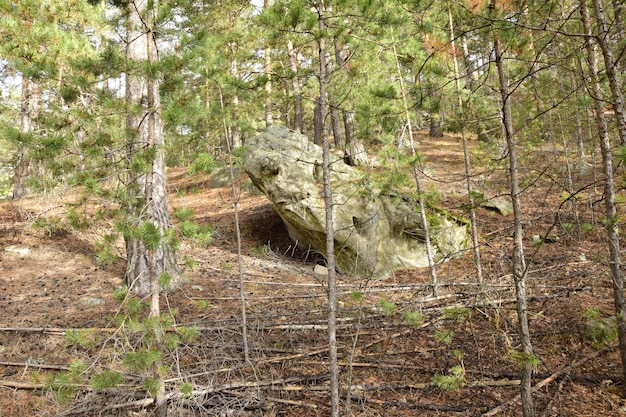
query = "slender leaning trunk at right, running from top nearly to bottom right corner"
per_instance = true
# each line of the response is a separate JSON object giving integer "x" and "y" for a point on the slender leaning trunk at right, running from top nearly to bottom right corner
{"x": 612, "y": 228}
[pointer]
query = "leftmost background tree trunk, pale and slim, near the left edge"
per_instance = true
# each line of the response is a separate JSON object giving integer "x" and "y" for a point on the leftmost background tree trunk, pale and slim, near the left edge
{"x": 23, "y": 165}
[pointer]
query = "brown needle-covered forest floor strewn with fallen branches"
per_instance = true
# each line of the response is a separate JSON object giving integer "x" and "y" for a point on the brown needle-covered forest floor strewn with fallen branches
{"x": 389, "y": 366}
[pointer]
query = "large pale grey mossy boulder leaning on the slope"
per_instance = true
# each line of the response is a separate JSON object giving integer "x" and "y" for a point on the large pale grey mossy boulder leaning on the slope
{"x": 376, "y": 232}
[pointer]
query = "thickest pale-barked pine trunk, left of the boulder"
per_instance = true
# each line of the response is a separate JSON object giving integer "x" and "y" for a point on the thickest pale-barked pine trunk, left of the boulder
{"x": 150, "y": 257}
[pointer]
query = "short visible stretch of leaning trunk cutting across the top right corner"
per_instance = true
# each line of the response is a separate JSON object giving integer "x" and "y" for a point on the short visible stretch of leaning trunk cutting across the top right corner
{"x": 611, "y": 70}
